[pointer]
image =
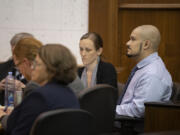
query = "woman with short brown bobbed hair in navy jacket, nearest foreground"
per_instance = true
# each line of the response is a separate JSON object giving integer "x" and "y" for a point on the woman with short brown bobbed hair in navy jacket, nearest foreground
{"x": 54, "y": 67}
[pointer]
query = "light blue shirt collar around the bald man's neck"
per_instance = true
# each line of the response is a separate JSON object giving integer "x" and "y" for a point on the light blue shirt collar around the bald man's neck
{"x": 147, "y": 60}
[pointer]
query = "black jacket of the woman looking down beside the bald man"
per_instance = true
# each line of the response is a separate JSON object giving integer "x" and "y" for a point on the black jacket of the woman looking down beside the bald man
{"x": 106, "y": 74}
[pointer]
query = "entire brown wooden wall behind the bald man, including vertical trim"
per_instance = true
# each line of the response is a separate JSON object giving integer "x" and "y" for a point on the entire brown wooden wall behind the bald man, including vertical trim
{"x": 119, "y": 18}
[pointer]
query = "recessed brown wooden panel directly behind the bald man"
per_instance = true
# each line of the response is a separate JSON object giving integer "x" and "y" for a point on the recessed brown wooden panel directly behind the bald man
{"x": 168, "y": 23}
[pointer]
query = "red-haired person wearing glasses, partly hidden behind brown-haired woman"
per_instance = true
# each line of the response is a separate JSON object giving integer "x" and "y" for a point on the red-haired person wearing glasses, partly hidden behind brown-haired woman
{"x": 24, "y": 54}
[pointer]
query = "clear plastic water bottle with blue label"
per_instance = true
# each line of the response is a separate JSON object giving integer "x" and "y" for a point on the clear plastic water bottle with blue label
{"x": 9, "y": 90}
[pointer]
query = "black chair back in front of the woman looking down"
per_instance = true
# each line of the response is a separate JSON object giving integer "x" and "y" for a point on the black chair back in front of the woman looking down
{"x": 100, "y": 100}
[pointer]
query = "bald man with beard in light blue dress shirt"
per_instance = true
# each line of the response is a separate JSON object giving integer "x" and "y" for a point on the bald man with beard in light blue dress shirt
{"x": 152, "y": 81}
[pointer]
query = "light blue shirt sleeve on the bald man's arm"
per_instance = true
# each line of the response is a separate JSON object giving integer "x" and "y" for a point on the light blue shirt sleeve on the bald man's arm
{"x": 148, "y": 88}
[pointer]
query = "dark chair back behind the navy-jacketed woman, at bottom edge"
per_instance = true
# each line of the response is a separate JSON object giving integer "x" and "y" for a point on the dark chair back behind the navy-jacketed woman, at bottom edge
{"x": 64, "y": 122}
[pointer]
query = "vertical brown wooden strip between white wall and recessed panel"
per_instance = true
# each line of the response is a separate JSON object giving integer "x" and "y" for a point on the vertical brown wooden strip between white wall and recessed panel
{"x": 103, "y": 19}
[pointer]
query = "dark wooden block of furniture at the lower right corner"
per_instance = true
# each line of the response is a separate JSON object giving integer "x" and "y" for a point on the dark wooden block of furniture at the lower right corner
{"x": 162, "y": 116}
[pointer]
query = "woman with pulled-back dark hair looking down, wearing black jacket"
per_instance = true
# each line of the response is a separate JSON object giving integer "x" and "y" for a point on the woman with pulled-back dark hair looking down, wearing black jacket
{"x": 95, "y": 71}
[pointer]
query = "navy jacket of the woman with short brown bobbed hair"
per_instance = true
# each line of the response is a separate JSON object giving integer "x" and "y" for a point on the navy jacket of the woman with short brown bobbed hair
{"x": 49, "y": 97}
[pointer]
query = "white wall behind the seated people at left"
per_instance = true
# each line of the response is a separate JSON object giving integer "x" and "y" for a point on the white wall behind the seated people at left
{"x": 50, "y": 21}
